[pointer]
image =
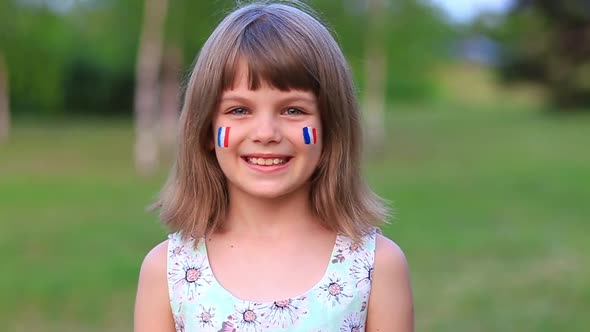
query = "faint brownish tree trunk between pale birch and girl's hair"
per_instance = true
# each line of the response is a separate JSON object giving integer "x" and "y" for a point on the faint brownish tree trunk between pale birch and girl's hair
{"x": 171, "y": 67}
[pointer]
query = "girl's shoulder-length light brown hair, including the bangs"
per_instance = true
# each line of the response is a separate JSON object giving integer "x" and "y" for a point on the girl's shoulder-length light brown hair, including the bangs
{"x": 284, "y": 45}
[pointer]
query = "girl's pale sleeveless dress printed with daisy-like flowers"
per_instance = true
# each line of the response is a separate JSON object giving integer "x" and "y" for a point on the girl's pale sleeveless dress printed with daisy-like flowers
{"x": 338, "y": 302}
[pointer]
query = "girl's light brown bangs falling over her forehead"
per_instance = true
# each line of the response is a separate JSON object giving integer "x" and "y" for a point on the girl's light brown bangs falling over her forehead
{"x": 272, "y": 58}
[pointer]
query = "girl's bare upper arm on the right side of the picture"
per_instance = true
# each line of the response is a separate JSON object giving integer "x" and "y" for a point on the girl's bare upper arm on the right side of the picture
{"x": 390, "y": 306}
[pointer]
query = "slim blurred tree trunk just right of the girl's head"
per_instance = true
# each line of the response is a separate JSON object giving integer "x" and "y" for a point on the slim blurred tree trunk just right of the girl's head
{"x": 375, "y": 71}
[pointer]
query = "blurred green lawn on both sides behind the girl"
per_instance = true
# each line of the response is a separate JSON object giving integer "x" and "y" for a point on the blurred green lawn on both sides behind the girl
{"x": 491, "y": 210}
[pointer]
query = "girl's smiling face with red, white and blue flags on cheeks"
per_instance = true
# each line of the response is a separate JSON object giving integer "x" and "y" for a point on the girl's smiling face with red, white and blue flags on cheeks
{"x": 267, "y": 141}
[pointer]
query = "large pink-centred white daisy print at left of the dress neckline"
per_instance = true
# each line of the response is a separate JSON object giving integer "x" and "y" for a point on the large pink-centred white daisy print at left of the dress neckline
{"x": 189, "y": 275}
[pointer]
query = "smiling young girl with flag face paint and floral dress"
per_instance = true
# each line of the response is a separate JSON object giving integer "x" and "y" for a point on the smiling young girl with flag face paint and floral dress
{"x": 272, "y": 228}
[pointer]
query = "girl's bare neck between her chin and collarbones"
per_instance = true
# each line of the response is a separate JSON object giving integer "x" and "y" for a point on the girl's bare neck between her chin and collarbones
{"x": 269, "y": 217}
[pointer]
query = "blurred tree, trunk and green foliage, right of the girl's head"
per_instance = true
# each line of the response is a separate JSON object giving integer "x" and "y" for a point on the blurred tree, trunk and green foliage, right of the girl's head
{"x": 392, "y": 47}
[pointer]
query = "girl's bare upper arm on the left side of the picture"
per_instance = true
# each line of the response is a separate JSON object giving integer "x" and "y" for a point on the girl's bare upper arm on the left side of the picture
{"x": 152, "y": 305}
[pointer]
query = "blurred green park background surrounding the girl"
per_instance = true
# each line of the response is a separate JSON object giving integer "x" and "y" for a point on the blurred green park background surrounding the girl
{"x": 478, "y": 132}
